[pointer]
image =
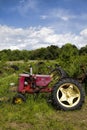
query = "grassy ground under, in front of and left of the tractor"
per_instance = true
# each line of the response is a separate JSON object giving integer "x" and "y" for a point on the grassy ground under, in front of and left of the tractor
{"x": 36, "y": 114}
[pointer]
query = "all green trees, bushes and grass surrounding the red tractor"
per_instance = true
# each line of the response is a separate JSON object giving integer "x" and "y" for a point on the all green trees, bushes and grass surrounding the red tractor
{"x": 38, "y": 114}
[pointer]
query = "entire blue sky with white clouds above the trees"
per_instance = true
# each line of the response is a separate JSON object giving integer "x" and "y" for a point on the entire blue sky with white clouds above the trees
{"x": 30, "y": 24}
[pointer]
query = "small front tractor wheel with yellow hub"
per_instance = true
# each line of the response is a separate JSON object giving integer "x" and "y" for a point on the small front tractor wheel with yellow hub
{"x": 19, "y": 99}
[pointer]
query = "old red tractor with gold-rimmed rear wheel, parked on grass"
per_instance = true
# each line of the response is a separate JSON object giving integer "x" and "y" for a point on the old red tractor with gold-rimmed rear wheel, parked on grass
{"x": 66, "y": 93}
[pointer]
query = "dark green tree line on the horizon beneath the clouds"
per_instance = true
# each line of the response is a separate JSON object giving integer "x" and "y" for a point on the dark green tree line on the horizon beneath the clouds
{"x": 66, "y": 52}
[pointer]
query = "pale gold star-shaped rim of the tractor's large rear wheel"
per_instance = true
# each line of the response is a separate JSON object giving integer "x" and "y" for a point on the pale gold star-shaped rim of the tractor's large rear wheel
{"x": 68, "y": 95}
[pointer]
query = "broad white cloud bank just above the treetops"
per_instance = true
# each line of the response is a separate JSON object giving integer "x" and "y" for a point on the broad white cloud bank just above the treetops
{"x": 36, "y": 37}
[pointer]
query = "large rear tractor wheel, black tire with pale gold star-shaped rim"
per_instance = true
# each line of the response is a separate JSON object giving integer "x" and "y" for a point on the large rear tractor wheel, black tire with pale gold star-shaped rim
{"x": 68, "y": 94}
